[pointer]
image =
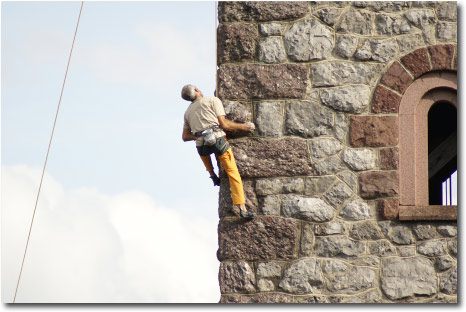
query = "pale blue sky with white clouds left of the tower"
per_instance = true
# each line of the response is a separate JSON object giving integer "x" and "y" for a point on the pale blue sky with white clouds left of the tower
{"x": 127, "y": 212}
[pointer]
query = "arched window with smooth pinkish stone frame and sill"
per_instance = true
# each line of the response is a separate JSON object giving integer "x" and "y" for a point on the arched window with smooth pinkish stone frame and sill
{"x": 427, "y": 146}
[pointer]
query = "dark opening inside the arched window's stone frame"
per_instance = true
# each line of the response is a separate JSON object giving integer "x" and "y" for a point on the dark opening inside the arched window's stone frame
{"x": 442, "y": 140}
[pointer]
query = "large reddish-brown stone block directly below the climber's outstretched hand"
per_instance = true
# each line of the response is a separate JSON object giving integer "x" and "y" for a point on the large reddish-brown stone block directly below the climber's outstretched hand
{"x": 261, "y": 158}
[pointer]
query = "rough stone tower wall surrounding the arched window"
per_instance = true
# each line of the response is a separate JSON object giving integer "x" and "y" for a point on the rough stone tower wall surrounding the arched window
{"x": 323, "y": 162}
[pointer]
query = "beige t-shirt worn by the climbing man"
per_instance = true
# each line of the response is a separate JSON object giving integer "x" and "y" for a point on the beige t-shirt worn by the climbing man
{"x": 202, "y": 114}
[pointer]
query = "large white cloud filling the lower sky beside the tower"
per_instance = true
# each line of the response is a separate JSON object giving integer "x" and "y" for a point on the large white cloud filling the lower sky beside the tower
{"x": 90, "y": 247}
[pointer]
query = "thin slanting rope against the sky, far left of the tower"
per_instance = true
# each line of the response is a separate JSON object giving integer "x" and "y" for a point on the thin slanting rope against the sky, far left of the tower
{"x": 48, "y": 151}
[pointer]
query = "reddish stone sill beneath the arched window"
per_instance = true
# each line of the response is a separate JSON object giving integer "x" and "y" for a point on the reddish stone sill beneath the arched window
{"x": 433, "y": 212}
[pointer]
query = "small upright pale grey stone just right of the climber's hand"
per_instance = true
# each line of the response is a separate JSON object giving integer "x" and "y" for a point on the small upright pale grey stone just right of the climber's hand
{"x": 269, "y": 119}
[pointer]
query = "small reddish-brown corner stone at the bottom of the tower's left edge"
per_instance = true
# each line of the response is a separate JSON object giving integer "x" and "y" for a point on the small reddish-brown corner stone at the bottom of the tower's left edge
{"x": 236, "y": 277}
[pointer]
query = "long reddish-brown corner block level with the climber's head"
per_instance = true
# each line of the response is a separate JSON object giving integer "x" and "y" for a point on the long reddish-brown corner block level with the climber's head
{"x": 253, "y": 81}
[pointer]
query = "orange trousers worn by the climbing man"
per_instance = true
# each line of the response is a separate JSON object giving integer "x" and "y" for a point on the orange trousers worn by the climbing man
{"x": 227, "y": 160}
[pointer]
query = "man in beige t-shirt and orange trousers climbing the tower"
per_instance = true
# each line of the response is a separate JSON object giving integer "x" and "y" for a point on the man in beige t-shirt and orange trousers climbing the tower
{"x": 204, "y": 122}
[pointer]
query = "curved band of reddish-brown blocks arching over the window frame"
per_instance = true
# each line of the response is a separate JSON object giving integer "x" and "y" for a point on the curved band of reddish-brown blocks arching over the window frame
{"x": 405, "y": 70}
